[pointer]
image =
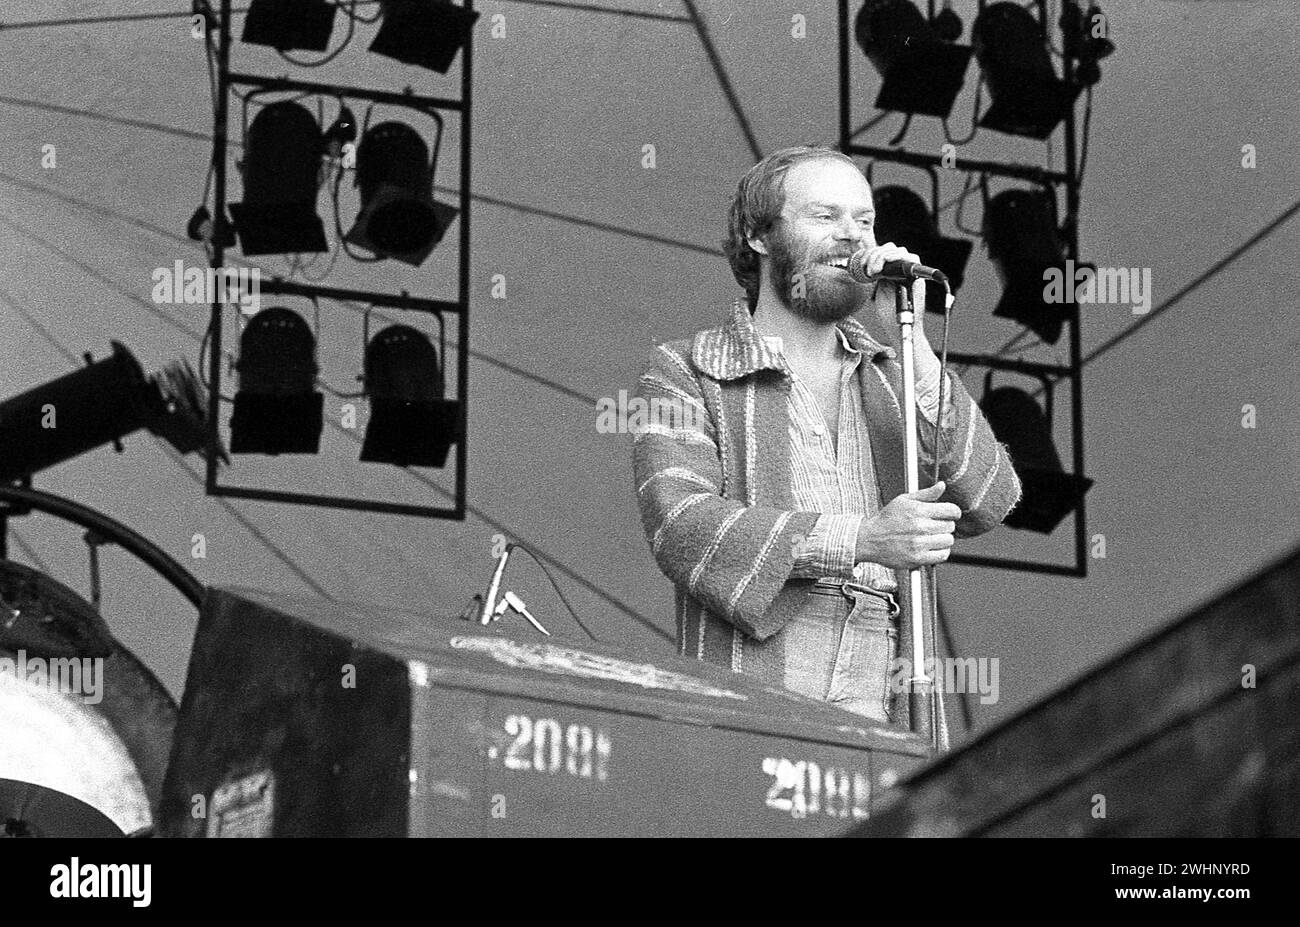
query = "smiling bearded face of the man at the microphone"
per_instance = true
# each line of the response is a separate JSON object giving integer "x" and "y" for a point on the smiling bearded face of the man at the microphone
{"x": 827, "y": 216}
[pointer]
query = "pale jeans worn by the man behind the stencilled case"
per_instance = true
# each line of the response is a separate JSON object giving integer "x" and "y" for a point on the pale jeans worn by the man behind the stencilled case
{"x": 842, "y": 648}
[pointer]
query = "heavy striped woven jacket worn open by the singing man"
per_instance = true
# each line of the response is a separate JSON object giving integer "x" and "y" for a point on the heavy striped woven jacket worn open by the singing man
{"x": 713, "y": 478}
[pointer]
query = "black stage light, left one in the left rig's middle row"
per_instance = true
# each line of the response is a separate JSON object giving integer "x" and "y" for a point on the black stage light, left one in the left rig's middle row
{"x": 281, "y": 175}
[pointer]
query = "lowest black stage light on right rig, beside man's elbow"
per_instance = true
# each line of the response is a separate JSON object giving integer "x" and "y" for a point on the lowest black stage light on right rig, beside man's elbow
{"x": 1050, "y": 493}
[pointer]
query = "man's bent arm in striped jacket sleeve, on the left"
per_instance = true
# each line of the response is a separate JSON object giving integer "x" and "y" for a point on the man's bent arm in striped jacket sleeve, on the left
{"x": 733, "y": 557}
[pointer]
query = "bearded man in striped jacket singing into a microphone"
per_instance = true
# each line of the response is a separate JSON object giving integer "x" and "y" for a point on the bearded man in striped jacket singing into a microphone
{"x": 774, "y": 499}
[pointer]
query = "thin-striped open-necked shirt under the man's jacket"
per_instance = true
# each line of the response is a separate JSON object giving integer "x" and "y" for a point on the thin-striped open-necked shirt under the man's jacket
{"x": 838, "y": 479}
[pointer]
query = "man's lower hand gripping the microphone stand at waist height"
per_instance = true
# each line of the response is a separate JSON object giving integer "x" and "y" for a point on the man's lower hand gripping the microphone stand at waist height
{"x": 913, "y": 531}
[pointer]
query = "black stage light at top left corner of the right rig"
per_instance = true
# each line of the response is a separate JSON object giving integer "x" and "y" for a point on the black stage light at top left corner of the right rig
{"x": 921, "y": 73}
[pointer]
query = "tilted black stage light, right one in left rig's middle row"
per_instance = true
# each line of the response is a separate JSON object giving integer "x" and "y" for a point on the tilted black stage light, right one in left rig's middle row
{"x": 400, "y": 218}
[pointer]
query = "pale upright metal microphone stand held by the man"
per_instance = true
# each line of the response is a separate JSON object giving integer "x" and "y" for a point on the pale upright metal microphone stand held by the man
{"x": 921, "y": 687}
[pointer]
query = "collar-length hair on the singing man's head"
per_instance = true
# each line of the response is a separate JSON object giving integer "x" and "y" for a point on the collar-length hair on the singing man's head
{"x": 757, "y": 206}
